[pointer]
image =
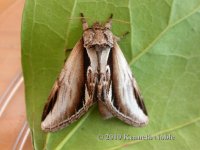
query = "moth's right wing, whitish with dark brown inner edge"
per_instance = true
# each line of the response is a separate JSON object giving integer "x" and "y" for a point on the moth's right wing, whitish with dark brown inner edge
{"x": 126, "y": 102}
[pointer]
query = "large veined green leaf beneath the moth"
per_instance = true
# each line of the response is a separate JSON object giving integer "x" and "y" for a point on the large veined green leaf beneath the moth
{"x": 163, "y": 50}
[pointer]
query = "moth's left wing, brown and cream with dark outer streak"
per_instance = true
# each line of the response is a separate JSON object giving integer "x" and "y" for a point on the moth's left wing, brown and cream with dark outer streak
{"x": 68, "y": 99}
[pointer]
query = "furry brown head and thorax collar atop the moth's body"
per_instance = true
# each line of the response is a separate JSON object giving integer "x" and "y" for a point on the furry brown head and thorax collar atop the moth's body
{"x": 97, "y": 36}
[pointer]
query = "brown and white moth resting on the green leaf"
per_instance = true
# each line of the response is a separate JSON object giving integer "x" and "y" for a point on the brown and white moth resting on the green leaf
{"x": 95, "y": 71}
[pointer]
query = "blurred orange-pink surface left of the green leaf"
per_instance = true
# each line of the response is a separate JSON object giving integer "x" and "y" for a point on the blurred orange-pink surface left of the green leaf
{"x": 14, "y": 131}
